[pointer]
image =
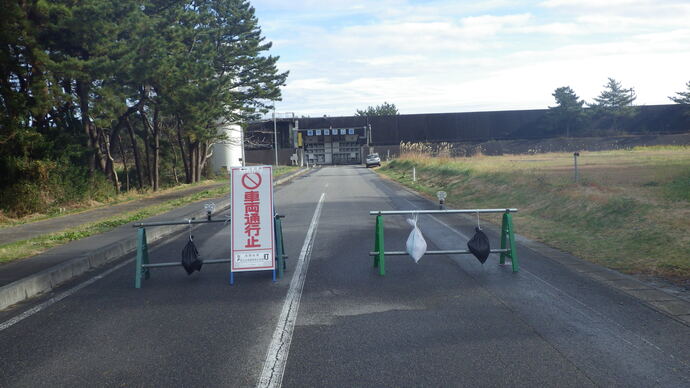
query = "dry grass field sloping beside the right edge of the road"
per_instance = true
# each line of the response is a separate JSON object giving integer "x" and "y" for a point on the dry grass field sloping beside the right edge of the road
{"x": 630, "y": 210}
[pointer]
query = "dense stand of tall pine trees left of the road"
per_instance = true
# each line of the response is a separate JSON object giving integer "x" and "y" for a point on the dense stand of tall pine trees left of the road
{"x": 99, "y": 95}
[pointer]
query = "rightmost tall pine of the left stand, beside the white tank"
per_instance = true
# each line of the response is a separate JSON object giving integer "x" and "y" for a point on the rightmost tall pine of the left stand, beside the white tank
{"x": 228, "y": 79}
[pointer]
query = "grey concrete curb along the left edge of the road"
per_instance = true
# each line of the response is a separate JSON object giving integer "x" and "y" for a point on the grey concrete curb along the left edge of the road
{"x": 50, "y": 278}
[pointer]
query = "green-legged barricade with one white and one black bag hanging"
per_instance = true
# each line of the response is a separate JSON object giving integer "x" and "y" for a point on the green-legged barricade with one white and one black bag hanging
{"x": 508, "y": 248}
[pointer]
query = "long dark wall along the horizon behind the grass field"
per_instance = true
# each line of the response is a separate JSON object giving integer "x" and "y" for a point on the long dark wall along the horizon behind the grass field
{"x": 502, "y": 125}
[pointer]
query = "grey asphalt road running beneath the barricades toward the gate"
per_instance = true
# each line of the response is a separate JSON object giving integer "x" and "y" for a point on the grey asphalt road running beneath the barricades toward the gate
{"x": 446, "y": 321}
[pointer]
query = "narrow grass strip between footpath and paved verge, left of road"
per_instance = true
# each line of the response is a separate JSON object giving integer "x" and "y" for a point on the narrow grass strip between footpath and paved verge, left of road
{"x": 31, "y": 247}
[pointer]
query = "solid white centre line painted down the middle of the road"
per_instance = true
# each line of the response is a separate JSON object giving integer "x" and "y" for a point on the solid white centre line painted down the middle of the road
{"x": 276, "y": 357}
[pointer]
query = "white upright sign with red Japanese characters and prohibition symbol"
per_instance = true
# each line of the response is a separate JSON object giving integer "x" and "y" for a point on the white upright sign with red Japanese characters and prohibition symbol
{"x": 252, "y": 218}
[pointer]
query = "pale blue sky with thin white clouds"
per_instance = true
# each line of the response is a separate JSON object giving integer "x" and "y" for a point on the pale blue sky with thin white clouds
{"x": 463, "y": 56}
